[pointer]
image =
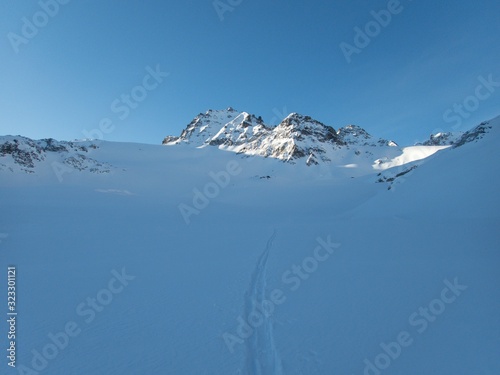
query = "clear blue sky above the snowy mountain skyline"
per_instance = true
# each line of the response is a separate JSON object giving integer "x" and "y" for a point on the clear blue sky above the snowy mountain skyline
{"x": 269, "y": 58}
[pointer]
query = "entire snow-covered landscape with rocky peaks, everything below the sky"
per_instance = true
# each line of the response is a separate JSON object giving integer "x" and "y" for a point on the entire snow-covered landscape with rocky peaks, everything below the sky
{"x": 103, "y": 243}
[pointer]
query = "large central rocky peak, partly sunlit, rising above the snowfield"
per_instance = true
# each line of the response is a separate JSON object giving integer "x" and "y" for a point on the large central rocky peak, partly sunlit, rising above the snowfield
{"x": 295, "y": 138}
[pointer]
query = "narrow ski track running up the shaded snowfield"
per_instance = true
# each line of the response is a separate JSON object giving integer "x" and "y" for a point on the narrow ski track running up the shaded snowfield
{"x": 262, "y": 355}
